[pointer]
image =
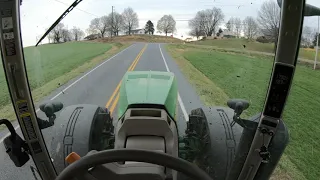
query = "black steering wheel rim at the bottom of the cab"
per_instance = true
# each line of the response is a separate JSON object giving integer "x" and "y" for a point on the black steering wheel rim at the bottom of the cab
{"x": 119, "y": 155}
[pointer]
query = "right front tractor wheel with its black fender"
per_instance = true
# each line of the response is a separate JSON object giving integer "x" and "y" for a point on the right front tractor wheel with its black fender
{"x": 211, "y": 141}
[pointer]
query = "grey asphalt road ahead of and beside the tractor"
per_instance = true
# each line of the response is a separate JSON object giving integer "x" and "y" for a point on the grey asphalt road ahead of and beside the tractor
{"x": 97, "y": 86}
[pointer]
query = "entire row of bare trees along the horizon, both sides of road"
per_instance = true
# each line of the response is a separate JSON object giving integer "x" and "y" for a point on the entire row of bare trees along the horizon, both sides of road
{"x": 205, "y": 23}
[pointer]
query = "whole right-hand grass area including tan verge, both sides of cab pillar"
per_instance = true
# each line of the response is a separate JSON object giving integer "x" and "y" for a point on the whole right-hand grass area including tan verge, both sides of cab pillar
{"x": 219, "y": 76}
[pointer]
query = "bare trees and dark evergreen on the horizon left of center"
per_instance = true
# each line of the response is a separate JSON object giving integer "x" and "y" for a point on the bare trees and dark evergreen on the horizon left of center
{"x": 111, "y": 25}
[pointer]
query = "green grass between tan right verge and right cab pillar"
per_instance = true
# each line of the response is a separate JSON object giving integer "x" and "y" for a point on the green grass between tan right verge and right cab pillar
{"x": 234, "y": 74}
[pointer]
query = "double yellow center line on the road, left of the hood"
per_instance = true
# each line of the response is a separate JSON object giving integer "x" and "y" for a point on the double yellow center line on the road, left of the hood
{"x": 116, "y": 91}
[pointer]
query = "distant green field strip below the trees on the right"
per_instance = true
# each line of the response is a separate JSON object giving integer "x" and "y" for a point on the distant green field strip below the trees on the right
{"x": 252, "y": 46}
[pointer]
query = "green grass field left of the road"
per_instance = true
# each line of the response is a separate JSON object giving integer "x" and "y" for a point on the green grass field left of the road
{"x": 47, "y": 62}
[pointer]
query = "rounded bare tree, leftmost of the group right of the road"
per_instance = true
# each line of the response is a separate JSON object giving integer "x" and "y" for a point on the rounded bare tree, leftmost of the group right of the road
{"x": 209, "y": 20}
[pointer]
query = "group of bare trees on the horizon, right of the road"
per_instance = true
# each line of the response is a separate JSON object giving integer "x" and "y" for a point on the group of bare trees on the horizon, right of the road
{"x": 206, "y": 22}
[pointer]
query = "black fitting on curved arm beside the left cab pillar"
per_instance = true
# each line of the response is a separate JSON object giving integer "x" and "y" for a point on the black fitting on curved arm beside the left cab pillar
{"x": 15, "y": 146}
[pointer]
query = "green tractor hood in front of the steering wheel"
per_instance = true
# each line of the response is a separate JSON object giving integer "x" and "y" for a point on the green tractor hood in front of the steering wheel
{"x": 148, "y": 87}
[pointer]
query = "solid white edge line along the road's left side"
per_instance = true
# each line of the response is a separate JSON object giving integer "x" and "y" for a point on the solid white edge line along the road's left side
{"x": 17, "y": 127}
